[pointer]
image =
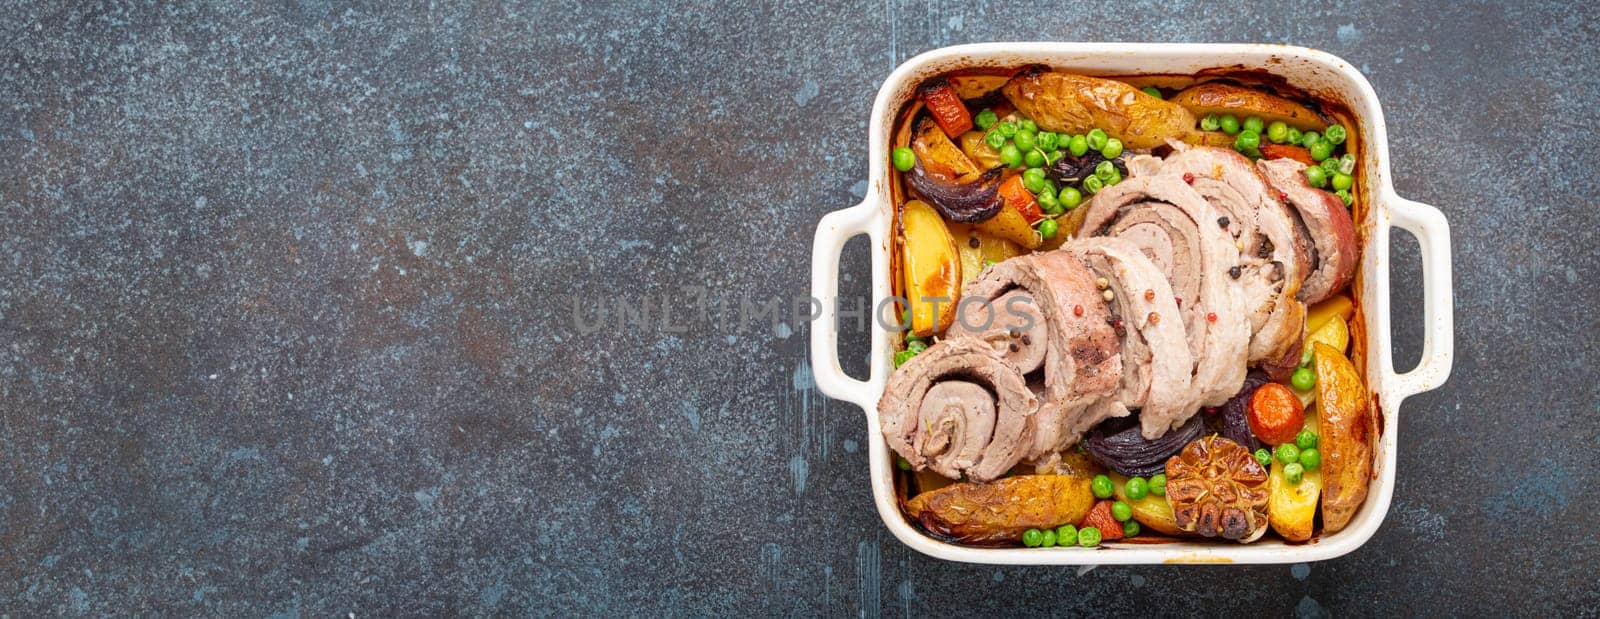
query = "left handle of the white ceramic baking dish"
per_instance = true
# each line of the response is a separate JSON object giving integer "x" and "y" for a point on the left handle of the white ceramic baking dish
{"x": 833, "y": 233}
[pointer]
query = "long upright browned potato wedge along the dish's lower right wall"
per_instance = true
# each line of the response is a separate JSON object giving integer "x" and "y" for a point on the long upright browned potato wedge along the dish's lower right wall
{"x": 1346, "y": 437}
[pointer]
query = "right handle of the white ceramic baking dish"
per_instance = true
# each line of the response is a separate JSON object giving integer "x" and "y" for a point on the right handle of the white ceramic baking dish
{"x": 1433, "y": 233}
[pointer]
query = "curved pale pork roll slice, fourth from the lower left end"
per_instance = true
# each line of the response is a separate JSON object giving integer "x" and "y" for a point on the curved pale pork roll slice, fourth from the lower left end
{"x": 1177, "y": 230}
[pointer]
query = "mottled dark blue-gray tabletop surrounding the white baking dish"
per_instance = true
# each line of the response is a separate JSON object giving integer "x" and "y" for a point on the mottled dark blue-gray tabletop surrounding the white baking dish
{"x": 286, "y": 321}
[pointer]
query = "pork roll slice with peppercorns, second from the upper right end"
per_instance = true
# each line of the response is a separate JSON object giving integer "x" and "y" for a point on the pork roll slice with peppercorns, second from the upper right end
{"x": 1271, "y": 260}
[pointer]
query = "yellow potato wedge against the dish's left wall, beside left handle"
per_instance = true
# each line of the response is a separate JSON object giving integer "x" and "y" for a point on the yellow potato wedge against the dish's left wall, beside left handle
{"x": 932, "y": 270}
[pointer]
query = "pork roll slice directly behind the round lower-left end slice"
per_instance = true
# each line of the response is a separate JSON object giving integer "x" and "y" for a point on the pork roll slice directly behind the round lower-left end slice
{"x": 1070, "y": 325}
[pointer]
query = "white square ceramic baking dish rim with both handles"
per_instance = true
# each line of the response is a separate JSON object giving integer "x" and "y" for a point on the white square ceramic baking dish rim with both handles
{"x": 1310, "y": 70}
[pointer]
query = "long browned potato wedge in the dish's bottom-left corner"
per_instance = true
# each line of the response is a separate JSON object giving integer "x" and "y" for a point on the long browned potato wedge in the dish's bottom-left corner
{"x": 1001, "y": 511}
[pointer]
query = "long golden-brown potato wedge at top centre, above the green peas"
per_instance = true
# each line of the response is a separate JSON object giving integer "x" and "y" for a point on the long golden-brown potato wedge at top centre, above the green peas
{"x": 1078, "y": 103}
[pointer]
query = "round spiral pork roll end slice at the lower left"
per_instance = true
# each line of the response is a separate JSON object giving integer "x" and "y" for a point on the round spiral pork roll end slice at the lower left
{"x": 959, "y": 409}
